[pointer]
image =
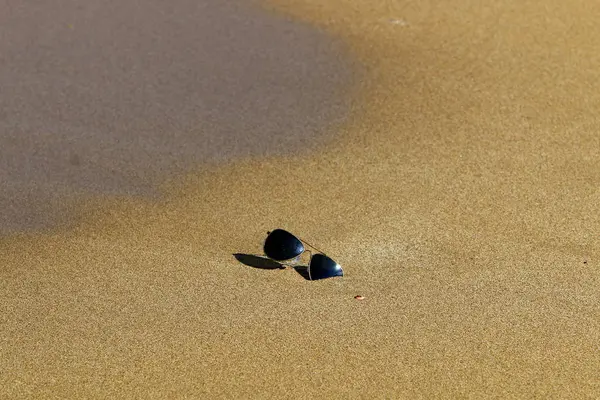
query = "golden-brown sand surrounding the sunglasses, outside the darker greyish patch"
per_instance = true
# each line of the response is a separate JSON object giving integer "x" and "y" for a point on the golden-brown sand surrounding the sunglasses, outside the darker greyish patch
{"x": 462, "y": 199}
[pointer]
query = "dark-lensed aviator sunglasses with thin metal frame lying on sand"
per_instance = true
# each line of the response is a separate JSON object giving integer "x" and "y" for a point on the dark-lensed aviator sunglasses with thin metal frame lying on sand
{"x": 281, "y": 246}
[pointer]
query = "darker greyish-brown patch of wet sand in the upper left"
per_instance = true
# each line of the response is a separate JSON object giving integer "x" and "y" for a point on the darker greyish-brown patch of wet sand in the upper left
{"x": 116, "y": 97}
